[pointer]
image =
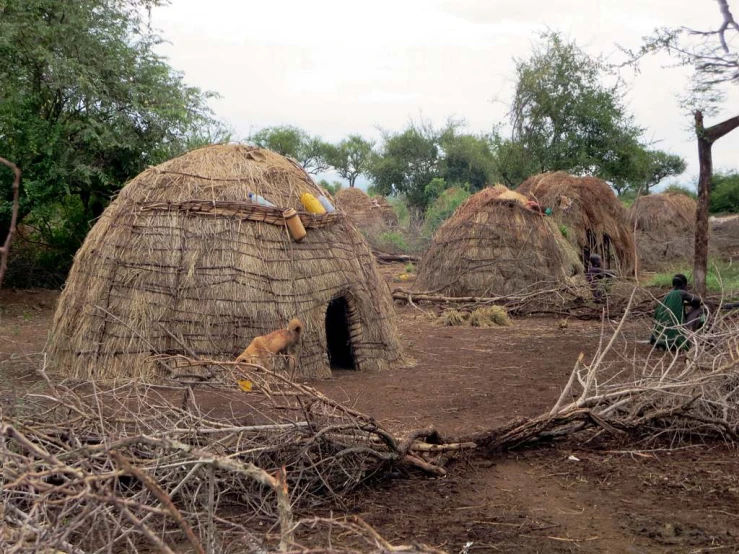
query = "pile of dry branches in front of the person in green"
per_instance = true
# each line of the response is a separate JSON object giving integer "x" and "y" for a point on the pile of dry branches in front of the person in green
{"x": 674, "y": 396}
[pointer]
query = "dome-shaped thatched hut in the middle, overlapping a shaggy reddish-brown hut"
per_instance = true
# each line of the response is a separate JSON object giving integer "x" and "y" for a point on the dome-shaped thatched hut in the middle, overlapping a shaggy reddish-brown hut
{"x": 495, "y": 245}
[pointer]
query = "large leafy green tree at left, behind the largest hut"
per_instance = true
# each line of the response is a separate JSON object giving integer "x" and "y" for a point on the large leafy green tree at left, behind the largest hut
{"x": 85, "y": 104}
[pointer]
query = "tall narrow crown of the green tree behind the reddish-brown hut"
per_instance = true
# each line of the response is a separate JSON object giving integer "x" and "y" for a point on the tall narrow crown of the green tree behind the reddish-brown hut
{"x": 563, "y": 114}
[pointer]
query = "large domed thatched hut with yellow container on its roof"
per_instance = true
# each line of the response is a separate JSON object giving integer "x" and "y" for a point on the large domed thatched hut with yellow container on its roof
{"x": 182, "y": 256}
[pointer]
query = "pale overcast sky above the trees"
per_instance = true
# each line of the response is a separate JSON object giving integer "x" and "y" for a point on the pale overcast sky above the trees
{"x": 335, "y": 67}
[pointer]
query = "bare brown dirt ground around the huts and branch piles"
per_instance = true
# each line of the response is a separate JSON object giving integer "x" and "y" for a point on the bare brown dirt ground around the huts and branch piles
{"x": 595, "y": 497}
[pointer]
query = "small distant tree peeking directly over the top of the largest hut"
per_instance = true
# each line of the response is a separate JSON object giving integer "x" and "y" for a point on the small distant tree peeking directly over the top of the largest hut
{"x": 310, "y": 152}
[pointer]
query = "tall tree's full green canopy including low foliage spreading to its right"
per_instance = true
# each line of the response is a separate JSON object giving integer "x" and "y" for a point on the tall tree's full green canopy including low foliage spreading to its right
{"x": 565, "y": 117}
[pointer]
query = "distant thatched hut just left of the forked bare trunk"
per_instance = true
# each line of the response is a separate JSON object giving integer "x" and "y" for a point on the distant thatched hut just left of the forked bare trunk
{"x": 664, "y": 226}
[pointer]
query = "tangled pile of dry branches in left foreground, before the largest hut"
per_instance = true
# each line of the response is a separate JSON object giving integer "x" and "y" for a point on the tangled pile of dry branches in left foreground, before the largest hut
{"x": 132, "y": 466}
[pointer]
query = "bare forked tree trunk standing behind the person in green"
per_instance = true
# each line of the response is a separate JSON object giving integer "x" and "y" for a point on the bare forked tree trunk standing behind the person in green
{"x": 706, "y": 137}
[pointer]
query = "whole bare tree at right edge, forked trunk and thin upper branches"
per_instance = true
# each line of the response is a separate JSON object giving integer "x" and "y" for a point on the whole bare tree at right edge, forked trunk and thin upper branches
{"x": 715, "y": 61}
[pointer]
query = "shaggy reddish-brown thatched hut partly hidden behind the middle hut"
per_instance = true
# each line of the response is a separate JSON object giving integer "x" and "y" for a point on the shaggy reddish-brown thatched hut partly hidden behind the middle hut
{"x": 593, "y": 218}
